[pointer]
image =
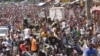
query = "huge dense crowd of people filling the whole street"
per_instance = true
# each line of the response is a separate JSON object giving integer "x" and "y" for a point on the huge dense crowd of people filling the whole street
{"x": 31, "y": 35}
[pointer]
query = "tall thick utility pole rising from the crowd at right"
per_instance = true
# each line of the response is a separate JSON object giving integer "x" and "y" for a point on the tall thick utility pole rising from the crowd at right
{"x": 88, "y": 15}
